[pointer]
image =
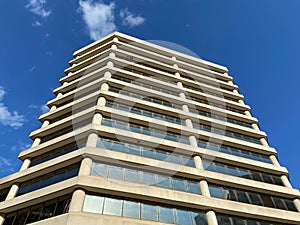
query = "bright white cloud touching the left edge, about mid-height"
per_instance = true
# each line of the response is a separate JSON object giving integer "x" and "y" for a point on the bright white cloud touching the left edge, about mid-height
{"x": 8, "y": 118}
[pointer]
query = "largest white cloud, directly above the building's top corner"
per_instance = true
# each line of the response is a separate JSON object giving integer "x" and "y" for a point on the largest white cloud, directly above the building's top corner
{"x": 98, "y": 17}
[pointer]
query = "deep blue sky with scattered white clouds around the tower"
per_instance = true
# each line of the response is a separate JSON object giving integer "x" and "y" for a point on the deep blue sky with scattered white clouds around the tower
{"x": 257, "y": 40}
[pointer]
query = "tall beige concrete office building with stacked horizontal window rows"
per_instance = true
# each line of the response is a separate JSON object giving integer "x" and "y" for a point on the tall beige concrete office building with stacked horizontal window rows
{"x": 141, "y": 134}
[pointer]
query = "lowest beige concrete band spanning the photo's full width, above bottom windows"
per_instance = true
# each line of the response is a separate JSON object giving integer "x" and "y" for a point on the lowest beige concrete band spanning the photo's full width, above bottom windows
{"x": 149, "y": 193}
